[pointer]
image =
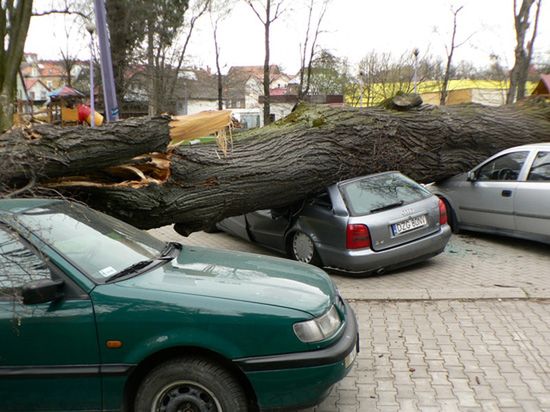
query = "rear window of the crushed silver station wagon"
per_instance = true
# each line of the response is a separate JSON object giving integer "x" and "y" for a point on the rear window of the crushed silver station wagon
{"x": 381, "y": 192}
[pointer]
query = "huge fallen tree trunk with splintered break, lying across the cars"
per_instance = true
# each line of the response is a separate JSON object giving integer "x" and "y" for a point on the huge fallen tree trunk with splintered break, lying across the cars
{"x": 193, "y": 186}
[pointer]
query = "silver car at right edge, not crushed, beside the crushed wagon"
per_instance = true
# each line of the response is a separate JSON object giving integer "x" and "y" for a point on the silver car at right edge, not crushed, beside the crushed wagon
{"x": 508, "y": 194}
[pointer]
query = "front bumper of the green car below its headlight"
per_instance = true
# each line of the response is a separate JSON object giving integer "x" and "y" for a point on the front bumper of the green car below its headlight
{"x": 300, "y": 380}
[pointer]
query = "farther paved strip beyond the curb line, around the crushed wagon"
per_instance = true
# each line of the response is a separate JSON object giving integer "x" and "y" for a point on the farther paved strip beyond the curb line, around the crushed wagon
{"x": 472, "y": 267}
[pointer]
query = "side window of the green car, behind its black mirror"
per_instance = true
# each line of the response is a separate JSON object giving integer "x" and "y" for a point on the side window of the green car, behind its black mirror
{"x": 18, "y": 265}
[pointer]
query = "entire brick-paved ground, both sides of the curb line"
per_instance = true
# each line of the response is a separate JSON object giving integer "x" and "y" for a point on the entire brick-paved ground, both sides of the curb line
{"x": 468, "y": 330}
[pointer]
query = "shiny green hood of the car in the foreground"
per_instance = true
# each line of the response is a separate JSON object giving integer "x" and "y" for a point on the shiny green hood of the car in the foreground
{"x": 242, "y": 276}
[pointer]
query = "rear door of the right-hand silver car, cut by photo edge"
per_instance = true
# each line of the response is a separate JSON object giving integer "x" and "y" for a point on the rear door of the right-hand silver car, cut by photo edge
{"x": 532, "y": 201}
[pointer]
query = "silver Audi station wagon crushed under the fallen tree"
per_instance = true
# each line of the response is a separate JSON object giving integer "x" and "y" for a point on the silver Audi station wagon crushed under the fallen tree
{"x": 367, "y": 224}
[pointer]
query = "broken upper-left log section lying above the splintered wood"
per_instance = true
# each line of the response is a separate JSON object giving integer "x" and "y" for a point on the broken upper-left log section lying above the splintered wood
{"x": 48, "y": 152}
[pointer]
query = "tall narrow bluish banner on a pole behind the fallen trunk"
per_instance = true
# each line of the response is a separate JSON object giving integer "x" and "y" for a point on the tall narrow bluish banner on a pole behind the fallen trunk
{"x": 109, "y": 94}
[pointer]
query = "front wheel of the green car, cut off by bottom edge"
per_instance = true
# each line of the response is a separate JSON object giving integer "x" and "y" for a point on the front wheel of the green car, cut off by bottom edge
{"x": 194, "y": 382}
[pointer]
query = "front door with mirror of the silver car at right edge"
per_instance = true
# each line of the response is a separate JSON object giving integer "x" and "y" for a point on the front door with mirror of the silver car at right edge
{"x": 488, "y": 202}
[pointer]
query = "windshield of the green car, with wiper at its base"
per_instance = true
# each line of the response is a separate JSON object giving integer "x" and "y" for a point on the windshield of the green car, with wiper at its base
{"x": 97, "y": 244}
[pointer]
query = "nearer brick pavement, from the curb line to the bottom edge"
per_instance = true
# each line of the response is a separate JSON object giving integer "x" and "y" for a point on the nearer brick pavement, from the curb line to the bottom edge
{"x": 448, "y": 356}
